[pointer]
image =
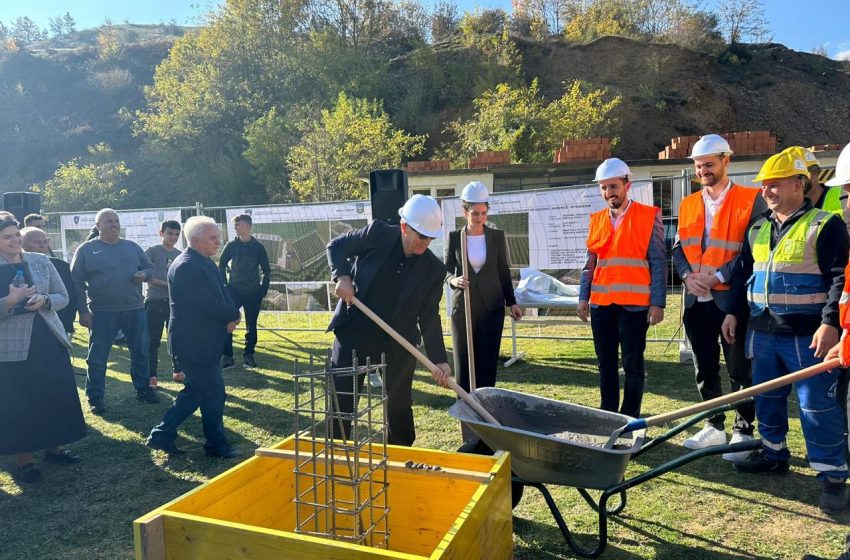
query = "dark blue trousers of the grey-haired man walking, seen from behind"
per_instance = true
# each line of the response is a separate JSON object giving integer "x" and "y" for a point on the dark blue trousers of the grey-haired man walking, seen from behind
{"x": 204, "y": 389}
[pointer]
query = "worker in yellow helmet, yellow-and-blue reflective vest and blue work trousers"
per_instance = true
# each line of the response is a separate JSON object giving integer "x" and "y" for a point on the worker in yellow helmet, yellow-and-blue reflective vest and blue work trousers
{"x": 790, "y": 276}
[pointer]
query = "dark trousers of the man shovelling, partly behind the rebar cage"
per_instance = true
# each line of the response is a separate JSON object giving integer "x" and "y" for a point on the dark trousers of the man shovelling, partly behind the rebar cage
{"x": 399, "y": 382}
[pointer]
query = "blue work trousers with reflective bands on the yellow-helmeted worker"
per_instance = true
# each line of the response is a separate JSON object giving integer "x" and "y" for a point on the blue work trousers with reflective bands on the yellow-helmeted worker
{"x": 775, "y": 355}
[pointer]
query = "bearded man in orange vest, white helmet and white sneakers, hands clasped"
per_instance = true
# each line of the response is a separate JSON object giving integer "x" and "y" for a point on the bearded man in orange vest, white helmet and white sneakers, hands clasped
{"x": 712, "y": 225}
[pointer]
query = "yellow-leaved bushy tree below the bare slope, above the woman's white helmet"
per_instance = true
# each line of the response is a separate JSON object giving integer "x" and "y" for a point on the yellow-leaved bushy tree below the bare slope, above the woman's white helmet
{"x": 518, "y": 119}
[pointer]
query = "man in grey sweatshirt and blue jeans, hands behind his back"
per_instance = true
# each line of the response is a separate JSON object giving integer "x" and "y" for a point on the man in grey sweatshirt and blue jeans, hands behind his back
{"x": 108, "y": 273}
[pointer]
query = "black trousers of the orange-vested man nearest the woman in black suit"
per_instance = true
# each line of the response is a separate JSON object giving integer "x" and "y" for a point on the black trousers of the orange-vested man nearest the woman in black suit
{"x": 614, "y": 328}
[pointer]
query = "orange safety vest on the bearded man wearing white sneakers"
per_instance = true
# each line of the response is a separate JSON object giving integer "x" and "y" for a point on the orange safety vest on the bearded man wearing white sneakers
{"x": 727, "y": 231}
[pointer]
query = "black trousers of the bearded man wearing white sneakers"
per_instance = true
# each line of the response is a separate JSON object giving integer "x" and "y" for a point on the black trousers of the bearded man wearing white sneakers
{"x": 702, "y": 324}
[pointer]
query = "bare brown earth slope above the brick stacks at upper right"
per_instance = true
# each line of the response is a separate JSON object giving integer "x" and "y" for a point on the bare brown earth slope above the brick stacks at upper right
{"x": 670, "y": 91}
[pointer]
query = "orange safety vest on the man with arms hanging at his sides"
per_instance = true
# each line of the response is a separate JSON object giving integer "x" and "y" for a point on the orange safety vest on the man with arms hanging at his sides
{"x": 622, "y": 269}
